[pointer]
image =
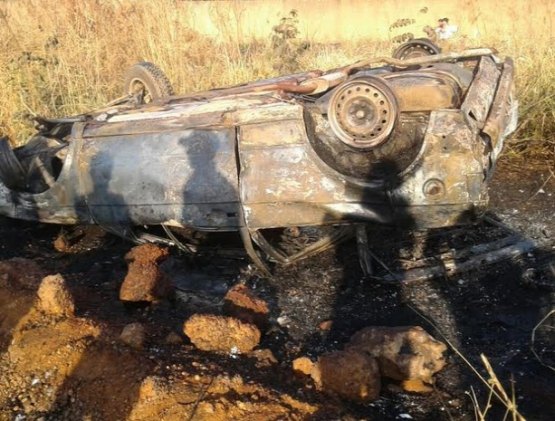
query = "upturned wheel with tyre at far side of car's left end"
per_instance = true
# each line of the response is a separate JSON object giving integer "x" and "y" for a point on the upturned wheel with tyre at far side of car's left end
{"x": 147, "y": 82}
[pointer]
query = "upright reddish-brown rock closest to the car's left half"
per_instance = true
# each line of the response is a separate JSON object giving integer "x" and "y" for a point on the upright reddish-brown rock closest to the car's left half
{"x": 145, "y": 281}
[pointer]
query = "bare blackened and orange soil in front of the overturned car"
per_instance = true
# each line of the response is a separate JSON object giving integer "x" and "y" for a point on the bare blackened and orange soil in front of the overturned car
{"x": 77, "y": 368}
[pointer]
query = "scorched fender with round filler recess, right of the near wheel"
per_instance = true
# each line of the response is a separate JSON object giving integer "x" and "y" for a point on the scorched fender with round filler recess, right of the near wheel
{"x": 447, "y": 181}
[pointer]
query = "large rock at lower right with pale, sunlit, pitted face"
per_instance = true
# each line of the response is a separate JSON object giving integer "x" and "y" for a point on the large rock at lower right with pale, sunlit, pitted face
{"x": 403, "y": 353}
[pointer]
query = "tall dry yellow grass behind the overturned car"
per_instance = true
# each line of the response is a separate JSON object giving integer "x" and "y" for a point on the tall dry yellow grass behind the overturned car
{"x": 60, "y": 57}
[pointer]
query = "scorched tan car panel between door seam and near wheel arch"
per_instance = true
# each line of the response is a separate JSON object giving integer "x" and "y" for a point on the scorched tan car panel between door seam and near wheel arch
{"x": 283, "y": 184}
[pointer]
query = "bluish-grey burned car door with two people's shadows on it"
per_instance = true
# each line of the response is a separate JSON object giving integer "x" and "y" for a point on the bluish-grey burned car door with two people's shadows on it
{"x": 186, "y": 177}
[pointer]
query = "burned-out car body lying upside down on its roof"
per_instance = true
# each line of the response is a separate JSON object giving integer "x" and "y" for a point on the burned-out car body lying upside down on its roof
{"x": 411, "y": 142}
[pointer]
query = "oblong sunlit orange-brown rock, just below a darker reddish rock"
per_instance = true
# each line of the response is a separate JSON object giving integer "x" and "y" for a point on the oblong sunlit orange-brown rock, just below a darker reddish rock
{"x": 224, "y": 334}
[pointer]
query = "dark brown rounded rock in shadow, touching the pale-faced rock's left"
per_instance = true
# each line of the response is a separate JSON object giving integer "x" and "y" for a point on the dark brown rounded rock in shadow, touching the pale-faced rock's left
{"x": 350, "y": 374}
